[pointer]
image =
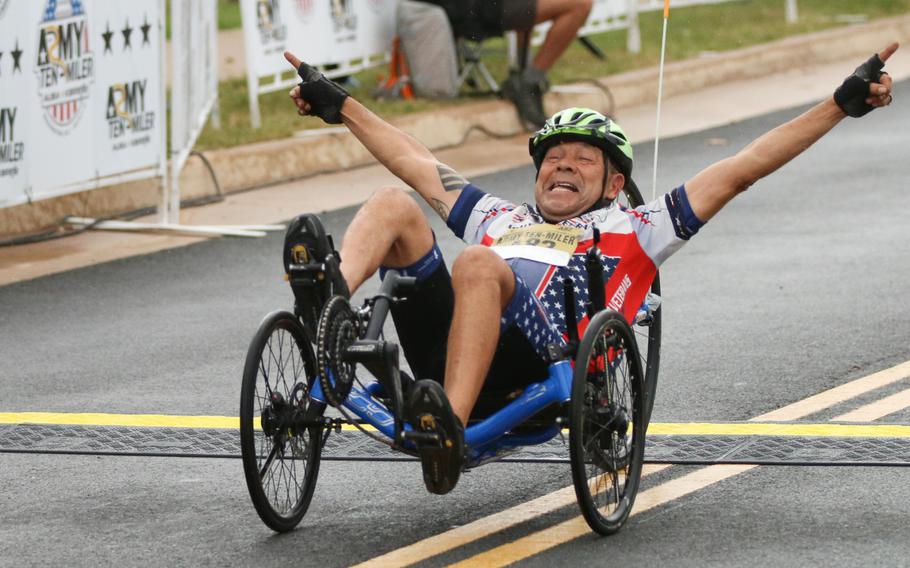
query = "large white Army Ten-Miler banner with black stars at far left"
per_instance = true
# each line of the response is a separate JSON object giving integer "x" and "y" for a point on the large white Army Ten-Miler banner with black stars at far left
{"x": 81, "y": 99}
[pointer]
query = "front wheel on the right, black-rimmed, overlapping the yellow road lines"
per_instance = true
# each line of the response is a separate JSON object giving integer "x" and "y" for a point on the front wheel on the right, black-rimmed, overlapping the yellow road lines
{"x": 606, "y": 422}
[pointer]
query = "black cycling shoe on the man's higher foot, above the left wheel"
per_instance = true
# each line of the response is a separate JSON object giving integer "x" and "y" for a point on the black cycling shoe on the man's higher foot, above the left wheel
{"x": 313, "y": 269}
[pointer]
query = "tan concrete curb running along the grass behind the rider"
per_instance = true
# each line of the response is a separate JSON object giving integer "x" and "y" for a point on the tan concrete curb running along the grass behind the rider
{"x": 256, "y": 165}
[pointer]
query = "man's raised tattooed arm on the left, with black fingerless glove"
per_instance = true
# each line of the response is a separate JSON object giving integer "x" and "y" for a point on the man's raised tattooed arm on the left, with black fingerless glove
{"x": 399, "y": 152}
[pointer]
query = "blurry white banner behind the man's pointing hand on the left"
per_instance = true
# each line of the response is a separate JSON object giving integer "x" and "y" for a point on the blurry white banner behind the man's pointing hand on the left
{"x": 340, "y": 37}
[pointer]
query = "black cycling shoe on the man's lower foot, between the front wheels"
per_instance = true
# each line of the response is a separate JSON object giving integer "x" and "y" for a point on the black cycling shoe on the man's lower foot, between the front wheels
{"x": 430, "y": 413}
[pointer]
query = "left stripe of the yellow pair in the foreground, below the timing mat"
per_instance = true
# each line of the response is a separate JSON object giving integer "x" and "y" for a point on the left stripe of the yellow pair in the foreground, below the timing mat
{"x": 482, "y": 528}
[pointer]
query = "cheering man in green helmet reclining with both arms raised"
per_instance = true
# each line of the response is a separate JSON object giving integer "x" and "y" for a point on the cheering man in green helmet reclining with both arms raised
{"x": 491, "y": 323}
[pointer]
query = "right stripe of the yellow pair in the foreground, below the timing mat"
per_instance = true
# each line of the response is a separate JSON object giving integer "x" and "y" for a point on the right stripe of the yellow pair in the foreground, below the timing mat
{"x": 551, "y": 537}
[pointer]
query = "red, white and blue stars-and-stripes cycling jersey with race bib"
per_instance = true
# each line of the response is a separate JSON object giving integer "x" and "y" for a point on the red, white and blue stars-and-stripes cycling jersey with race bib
{"x": 633, "y": 243}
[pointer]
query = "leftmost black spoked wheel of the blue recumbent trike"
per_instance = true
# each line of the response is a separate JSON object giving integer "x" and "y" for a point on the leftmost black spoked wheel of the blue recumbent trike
{"x": 280, "y": 457}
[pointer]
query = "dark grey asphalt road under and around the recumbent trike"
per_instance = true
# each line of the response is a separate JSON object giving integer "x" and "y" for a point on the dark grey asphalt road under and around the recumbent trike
{"x": 797, "y": 287}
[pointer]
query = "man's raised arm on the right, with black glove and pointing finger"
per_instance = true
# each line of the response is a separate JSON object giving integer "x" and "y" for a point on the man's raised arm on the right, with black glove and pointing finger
{"x": 712, "y": 188}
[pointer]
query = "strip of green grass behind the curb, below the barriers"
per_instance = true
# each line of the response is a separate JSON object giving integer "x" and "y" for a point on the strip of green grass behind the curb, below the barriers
{"x": 692, "y": 31}
